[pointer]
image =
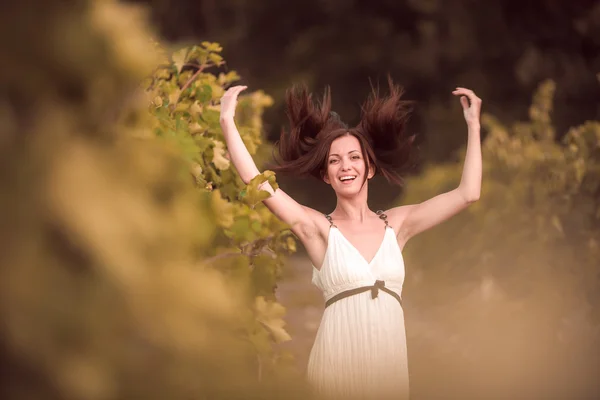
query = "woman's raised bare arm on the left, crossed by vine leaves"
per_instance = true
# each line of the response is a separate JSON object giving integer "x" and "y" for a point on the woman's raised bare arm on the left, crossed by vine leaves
{"x": 300, "y": 218}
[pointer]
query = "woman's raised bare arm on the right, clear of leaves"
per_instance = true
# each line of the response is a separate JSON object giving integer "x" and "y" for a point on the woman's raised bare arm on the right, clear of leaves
{"x": 414, "y": 219}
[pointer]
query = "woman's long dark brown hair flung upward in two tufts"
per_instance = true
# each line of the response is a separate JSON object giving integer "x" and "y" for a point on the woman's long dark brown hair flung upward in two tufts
{"x": 304, "y": 149}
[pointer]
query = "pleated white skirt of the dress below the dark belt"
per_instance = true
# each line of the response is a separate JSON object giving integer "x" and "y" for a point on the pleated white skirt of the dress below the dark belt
{"x": 360, "y": 350}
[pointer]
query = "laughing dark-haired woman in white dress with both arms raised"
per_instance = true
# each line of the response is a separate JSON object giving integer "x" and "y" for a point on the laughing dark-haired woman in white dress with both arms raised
{"x": 360, "y": 347}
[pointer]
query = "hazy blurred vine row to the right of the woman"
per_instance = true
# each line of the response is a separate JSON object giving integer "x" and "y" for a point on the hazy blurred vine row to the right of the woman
{"x": 516, "y": 278}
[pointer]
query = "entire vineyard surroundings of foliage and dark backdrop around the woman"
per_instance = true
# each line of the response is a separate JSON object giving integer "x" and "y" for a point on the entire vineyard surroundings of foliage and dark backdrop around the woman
{"x": 104, "y": 242}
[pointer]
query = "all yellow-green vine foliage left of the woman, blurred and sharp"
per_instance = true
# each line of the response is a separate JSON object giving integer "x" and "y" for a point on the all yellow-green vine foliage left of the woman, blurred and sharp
{"x": 133, "y": 262}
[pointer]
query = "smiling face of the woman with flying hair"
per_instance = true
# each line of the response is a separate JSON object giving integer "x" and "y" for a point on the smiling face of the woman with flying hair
{"x": 346, "y": 166}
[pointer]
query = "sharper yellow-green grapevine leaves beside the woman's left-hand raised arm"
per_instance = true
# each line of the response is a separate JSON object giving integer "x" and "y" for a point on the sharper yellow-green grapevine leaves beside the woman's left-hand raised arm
{"x": 251, "y": 243}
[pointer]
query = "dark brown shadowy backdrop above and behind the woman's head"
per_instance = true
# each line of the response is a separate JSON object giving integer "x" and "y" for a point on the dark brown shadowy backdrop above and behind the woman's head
{"x": 502, "y": 49}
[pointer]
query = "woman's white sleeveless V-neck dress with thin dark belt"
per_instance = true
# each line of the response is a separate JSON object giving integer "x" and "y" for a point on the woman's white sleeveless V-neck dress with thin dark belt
{"x": 360, "y": 347}
